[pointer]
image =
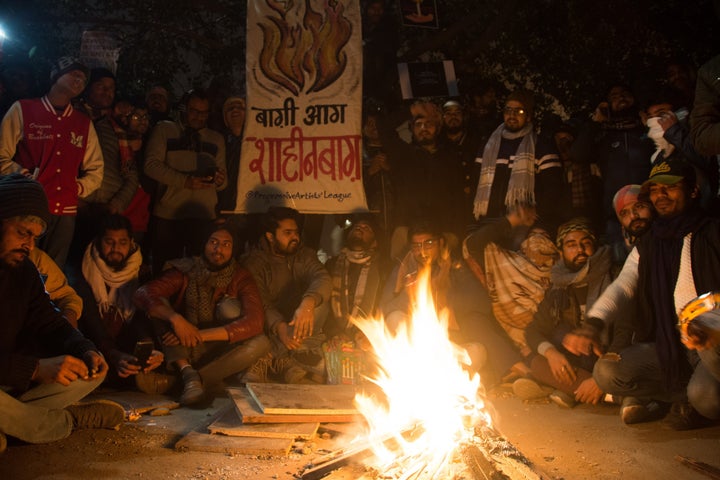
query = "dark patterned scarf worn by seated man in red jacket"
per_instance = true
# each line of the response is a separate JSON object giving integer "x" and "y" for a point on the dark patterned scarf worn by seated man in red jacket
{"x": 202, "y": 285}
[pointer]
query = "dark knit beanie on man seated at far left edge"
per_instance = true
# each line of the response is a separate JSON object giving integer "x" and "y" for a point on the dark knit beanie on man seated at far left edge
{"x": 20, "y": 196}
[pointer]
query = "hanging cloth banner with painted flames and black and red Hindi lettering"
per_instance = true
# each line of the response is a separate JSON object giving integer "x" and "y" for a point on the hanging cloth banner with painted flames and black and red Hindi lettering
{"x": 302, "y": 145}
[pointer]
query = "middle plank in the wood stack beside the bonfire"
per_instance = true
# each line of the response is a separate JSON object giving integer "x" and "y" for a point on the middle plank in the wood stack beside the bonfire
{"x": 230, "y": 424}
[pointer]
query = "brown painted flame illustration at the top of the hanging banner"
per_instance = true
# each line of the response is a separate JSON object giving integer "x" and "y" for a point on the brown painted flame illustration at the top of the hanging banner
{"x": 304, "y": 45}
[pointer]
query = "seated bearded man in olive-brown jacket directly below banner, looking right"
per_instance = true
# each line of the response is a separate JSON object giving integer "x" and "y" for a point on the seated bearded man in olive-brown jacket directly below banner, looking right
{"x": 295, "y": 289}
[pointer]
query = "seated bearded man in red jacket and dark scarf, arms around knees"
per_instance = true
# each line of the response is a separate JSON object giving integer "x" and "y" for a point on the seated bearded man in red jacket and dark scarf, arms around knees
{"x": 209, "y": 313}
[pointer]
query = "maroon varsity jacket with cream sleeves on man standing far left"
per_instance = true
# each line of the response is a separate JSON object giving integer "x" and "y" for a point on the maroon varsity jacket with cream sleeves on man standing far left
{"x": 62, "y": 148}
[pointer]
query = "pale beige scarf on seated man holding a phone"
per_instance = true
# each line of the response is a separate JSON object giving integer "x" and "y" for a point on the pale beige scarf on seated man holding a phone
{"x": 113, "y": 290}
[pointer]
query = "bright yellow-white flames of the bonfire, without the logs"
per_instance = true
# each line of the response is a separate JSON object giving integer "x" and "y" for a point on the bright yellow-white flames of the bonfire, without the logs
{"x": 432, "y": 405}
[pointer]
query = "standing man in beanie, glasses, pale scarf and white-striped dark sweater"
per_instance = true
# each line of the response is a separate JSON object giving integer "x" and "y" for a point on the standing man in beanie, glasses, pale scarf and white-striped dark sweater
{"x": 518, "y": 168}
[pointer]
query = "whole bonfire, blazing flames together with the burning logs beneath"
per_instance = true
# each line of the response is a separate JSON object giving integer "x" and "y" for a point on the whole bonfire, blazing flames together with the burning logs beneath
{"x": 425, "y": 385}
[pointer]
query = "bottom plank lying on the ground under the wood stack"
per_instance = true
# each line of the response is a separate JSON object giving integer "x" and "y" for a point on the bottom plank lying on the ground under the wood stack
{"x": 205, "y": 442}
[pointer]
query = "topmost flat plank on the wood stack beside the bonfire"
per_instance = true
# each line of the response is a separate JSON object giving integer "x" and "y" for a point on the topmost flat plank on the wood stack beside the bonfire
{"x": 294, "y": 399}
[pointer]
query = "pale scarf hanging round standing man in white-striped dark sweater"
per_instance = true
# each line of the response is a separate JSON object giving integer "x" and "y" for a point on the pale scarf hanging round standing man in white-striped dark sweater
{"x": 521, "y": 186}
